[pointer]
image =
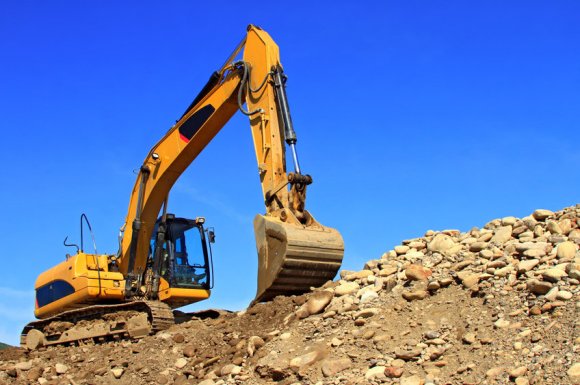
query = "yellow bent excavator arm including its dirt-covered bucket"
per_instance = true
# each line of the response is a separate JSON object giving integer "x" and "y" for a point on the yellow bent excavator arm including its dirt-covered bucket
{"x": 295, "y": 252}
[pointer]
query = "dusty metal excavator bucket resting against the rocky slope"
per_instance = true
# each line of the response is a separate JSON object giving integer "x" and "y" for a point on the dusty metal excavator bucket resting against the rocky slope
{"x": 293, "y": 258}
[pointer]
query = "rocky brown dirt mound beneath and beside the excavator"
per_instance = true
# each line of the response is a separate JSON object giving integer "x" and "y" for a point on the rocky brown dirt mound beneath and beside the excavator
{"x": 493, "y": 305}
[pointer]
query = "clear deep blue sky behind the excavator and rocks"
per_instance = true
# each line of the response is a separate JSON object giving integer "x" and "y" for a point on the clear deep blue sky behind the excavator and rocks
{"x": 411, "y": 115}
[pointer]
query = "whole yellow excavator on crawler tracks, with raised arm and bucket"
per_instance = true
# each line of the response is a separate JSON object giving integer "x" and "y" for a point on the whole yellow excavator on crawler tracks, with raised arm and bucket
{"x": 164, "y": 262}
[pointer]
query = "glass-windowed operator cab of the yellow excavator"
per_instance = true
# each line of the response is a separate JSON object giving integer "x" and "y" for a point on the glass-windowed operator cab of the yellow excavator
{"x": 185, "y": 255}
